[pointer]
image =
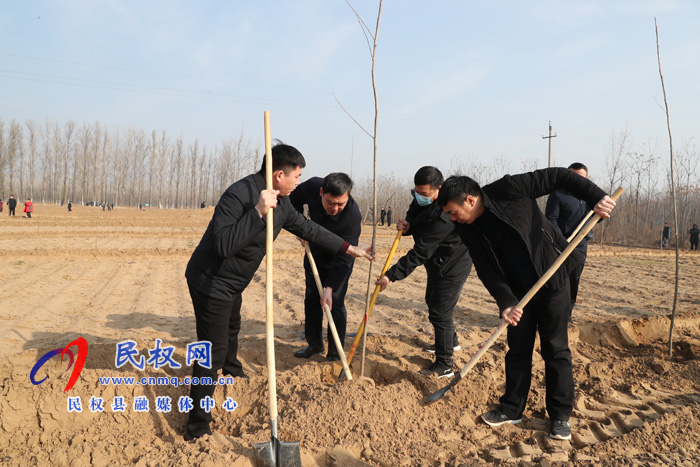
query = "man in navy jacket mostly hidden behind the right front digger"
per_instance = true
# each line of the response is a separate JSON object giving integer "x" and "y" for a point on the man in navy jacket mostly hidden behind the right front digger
{"x": 565, "y": 212}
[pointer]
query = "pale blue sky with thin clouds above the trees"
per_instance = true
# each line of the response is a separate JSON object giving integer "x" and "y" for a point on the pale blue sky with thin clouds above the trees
{"x": 456, "y": 80}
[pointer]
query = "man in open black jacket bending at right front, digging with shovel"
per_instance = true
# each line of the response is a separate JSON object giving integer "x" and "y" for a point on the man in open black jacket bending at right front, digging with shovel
{"x": 512, "y": 245}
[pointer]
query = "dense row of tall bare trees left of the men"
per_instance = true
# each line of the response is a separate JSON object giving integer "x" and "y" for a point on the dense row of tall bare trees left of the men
{"x": 90, "y": 163}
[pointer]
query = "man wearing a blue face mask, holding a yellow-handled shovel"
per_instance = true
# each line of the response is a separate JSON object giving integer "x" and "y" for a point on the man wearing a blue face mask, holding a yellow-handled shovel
{"x": 438, "y": 247}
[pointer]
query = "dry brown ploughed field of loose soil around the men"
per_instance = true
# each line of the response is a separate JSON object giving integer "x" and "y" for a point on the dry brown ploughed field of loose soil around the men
{"x": 116, "y": 276}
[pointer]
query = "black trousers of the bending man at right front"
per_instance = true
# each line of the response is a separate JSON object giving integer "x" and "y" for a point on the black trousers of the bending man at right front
{"x": 547, "y": 313}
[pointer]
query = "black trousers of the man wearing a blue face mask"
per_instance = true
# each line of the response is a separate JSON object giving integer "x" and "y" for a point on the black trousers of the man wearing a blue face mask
{"x": 441, "y": 296}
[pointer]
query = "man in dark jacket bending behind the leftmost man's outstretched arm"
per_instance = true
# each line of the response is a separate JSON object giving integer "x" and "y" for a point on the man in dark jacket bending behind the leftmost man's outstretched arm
{"x": 331, "y": 206}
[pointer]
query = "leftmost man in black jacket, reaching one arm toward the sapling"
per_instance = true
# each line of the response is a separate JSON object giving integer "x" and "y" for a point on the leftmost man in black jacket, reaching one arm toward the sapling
{"x": 224, "y": 262}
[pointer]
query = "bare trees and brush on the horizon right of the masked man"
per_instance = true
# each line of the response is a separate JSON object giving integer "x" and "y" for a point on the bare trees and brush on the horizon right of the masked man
{"x": 646, "y": 204}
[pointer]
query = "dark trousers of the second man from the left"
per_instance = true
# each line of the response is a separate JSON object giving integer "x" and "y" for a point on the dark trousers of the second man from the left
{"x": 313, "y": 313}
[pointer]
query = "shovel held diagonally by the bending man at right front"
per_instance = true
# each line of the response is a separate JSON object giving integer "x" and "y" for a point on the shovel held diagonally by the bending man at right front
{"x": 440, "y": 393}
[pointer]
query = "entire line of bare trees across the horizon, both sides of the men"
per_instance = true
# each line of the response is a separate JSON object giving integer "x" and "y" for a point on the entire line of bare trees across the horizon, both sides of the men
{"x": 53, "y": 163}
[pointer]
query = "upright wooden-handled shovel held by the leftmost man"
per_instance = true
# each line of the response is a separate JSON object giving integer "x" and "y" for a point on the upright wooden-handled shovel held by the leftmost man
{"x": 274, "y": 453}
